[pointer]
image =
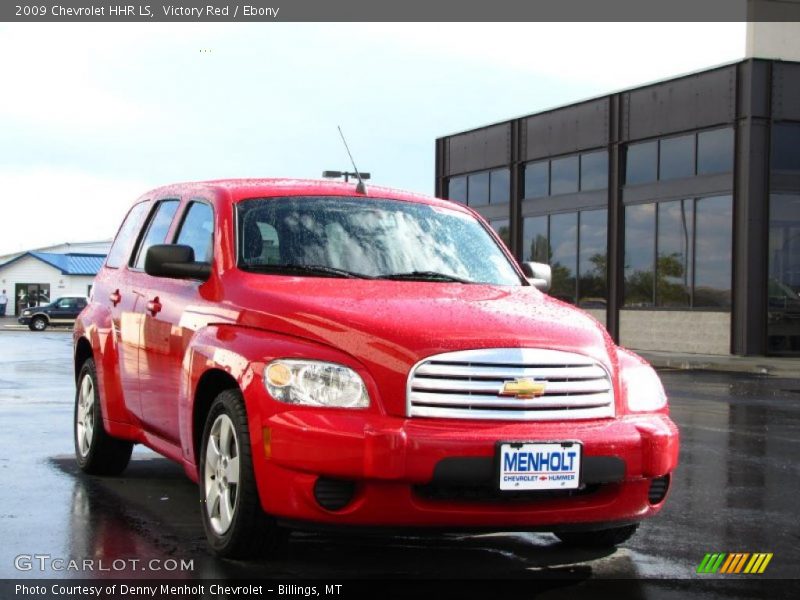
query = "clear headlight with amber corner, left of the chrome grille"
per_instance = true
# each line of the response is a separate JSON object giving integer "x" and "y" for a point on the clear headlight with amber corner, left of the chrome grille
{"x": 315, "y": 383}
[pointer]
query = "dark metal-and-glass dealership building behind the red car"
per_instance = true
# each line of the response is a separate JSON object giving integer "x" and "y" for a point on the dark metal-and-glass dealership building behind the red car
{"x": 670, "y": 211}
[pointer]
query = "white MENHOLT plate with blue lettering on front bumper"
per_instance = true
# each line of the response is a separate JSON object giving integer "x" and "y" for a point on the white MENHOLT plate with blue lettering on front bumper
{"x": 539, "y": 466}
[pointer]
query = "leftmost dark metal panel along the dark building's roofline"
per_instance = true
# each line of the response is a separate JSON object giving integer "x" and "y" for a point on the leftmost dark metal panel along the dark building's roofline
{"x": 485, "y": 148}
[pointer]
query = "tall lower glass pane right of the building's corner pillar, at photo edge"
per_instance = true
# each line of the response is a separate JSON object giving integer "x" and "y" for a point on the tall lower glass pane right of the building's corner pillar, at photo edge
{"x": 783, "y": 284}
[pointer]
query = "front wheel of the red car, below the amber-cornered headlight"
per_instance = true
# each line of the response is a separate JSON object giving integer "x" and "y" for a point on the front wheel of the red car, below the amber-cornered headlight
{"x": 235, "y": 525}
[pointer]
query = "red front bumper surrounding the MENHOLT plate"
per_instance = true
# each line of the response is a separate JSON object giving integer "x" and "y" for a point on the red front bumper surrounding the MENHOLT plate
{"x": 439, "y": 473}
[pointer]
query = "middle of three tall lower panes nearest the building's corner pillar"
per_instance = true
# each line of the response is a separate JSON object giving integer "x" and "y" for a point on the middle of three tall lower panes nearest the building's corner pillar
{"x": 673, "y": 269}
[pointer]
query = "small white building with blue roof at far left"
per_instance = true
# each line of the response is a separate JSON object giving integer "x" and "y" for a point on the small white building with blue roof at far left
{"x": 39, "y": 276}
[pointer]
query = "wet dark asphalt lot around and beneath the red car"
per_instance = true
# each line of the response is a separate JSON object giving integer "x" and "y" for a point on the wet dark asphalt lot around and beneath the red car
{"x": 737, "y": 490}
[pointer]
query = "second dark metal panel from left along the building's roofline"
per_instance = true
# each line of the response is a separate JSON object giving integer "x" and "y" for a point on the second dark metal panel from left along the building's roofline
{"x": 567, "y": 130}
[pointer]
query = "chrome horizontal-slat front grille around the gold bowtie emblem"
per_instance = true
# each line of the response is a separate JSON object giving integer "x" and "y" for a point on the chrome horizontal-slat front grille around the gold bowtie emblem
{"x": 467, "y": 385}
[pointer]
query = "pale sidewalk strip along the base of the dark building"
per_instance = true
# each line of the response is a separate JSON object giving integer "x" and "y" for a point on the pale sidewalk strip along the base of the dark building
{"x": 774, "y": 366}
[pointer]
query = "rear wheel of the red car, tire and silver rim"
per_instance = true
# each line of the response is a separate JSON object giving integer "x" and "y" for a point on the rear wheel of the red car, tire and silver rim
{"x": 97, "y": 452}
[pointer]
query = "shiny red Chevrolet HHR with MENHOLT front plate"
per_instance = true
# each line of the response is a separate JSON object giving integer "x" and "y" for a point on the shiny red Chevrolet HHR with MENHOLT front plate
{"x": 313, "y": 353}
